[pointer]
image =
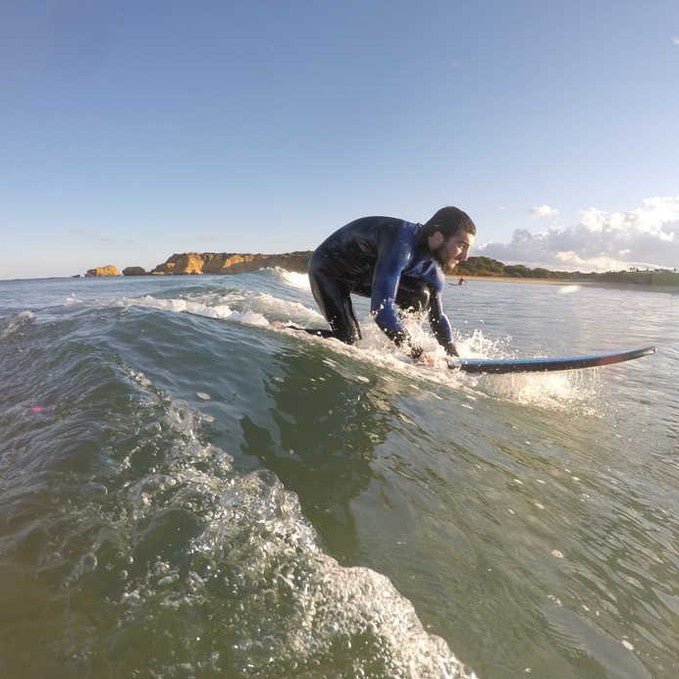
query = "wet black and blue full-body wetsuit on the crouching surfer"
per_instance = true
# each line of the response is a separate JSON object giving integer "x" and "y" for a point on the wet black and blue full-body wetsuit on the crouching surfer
{"x": 388, "y": 260}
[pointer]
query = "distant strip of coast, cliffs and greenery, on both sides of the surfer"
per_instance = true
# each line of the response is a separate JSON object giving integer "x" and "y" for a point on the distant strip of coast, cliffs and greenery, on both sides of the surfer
{"x": 475, "y": 268}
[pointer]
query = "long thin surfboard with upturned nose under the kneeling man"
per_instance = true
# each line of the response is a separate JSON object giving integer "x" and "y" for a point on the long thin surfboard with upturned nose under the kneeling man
{"x": 499, "y": 366}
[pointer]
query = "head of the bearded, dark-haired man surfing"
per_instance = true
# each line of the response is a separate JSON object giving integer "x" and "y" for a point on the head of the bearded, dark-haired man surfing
{"x": 449, "y": 235}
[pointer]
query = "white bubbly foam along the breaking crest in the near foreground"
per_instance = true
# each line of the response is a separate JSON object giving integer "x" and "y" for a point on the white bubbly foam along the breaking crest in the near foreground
{"x": 289, "y": 604}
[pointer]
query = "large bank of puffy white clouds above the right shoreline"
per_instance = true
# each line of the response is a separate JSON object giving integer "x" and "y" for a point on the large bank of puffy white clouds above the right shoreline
{"x": 646, "y": 236}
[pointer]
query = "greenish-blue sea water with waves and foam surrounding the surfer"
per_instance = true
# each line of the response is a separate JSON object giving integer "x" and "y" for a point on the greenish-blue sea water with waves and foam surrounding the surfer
{"x": 188, "y": 491}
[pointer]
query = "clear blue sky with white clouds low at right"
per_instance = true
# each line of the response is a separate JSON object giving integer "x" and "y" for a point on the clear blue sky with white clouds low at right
{"x": 133, "y": 130}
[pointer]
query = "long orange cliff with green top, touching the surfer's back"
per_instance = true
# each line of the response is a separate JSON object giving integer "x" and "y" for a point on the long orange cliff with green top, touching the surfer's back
{"x": 230, "y": 262}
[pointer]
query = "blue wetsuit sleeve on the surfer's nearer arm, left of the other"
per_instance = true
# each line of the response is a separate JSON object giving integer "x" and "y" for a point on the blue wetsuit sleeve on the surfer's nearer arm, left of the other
{"x": 392, "y": 258}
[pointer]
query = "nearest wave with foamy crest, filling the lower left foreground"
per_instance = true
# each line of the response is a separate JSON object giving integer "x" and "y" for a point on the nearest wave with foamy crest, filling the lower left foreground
{"x": 156, "y": 553}
